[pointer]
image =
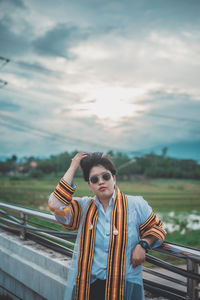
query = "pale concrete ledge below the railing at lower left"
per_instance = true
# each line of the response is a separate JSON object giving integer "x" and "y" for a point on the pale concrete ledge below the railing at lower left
{"x": 31, "y": 271}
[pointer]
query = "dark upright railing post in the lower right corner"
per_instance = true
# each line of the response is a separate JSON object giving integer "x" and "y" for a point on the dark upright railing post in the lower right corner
{"x": 192, "y": 285}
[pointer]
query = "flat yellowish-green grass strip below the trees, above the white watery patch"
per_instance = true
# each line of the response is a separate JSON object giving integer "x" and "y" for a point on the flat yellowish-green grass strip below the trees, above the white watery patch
{"x": 162, "y": 194}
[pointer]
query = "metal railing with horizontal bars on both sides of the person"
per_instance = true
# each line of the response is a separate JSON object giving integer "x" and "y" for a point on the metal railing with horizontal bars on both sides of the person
{"x": 177, "y": 283}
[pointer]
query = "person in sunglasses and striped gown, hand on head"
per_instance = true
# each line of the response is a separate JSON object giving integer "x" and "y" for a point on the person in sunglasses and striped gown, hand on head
{"x": 114, "y": 232}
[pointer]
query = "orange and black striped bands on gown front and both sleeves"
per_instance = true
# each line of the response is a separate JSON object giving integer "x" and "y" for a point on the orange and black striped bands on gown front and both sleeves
{"x": 118, "y": 240}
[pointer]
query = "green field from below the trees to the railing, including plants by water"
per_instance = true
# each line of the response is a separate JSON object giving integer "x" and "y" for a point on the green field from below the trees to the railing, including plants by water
{"x": 181, "y": 197}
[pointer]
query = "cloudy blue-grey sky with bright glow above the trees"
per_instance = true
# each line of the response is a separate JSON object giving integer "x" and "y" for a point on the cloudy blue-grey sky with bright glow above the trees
{"x": 98, "y": 75}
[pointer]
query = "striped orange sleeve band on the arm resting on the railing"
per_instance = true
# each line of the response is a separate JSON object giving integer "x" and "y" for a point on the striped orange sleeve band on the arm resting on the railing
{"x": 152, "y": 226}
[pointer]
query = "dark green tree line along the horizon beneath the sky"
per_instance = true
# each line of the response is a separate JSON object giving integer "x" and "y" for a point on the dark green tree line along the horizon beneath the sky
{"x": 149, "y": 165}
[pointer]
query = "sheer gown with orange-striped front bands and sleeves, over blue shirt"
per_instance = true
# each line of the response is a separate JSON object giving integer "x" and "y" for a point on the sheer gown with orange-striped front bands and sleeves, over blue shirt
{"x": 127, "y": 225}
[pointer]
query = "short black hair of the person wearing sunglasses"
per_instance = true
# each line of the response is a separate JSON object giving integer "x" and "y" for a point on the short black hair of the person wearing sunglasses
{"x": 96, "y": 159}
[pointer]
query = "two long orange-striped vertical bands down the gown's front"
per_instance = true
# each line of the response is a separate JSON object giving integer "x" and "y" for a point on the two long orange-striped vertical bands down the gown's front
{"x": 117, "y": 251}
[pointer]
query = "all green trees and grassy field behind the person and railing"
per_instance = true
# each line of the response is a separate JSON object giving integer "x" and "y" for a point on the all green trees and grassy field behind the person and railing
{"x": 168, "y": 184}
